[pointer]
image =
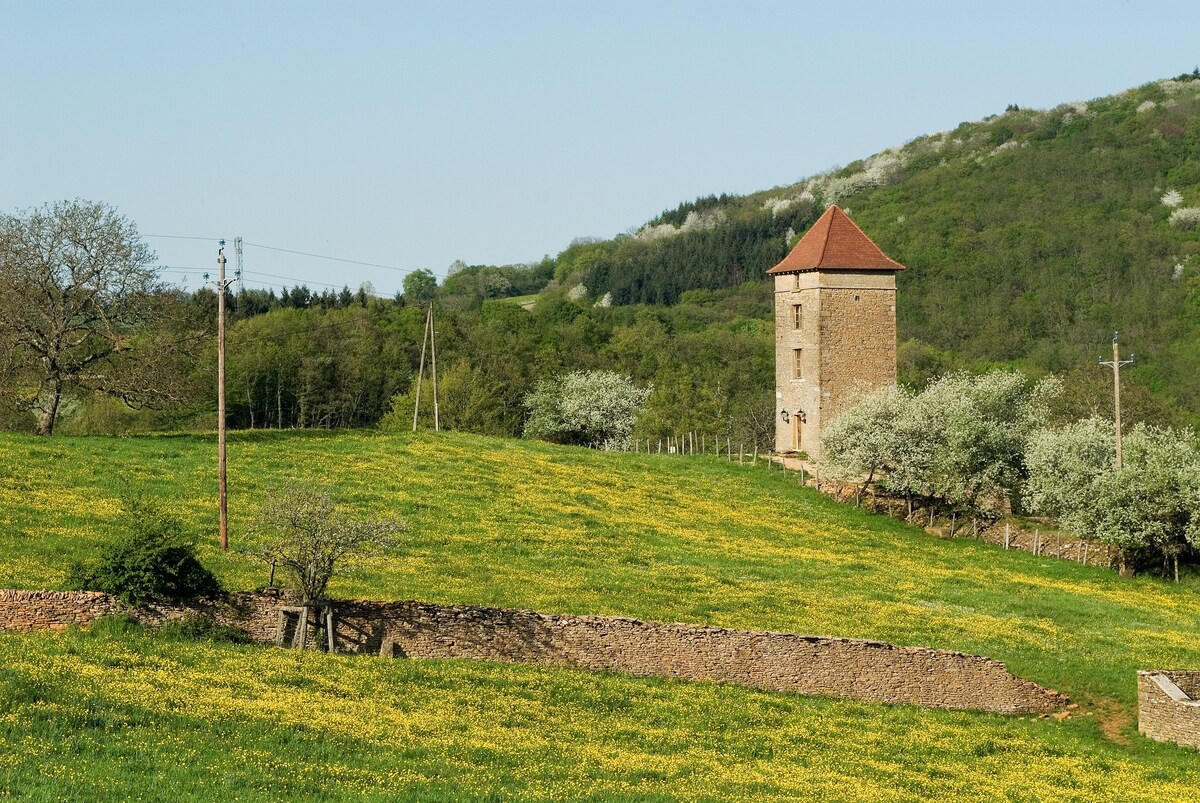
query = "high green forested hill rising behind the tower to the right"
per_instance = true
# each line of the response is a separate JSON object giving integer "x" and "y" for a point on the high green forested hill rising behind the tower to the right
{"x": 1030, "y": 237}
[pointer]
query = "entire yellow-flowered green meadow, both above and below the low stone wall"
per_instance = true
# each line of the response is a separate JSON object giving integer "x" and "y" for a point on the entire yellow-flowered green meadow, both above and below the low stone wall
{"x": 523, "y": 525}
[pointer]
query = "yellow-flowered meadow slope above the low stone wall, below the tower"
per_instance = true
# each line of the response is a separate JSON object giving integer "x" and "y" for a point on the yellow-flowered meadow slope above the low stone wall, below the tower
{"x": 573, "y": 531}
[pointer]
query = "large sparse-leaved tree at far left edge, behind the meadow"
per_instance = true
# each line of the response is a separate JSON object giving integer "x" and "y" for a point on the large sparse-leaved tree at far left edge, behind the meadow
{"x": 79, "y": 299}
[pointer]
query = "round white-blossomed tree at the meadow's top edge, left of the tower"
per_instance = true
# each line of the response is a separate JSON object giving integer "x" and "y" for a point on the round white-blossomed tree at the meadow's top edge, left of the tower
{"x": 592, "y": 409}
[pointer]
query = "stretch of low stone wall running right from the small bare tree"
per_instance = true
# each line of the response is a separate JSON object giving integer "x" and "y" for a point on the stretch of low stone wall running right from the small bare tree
{"x": 777, "y": 662}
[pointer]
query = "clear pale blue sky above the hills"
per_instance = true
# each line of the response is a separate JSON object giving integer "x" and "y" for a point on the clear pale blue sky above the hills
{"x": 412, "y": 134}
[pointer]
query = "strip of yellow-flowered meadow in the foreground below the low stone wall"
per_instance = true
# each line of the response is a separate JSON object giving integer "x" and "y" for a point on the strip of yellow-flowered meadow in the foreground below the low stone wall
{"x": 119, "y": 717}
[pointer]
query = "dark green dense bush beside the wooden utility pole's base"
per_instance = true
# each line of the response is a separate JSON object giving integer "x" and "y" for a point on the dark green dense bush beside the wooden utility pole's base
{"x": 151, "y": 562}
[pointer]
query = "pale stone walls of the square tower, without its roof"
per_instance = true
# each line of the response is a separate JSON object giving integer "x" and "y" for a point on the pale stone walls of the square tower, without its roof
{"x": 849, "y": 347}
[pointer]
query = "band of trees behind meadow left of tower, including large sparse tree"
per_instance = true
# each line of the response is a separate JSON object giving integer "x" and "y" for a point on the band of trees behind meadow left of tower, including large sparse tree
{"x": 95, "y": 343}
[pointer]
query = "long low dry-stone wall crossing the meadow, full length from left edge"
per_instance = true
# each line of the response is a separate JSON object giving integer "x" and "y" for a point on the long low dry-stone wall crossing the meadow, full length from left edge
{"x": 778, "y": 662}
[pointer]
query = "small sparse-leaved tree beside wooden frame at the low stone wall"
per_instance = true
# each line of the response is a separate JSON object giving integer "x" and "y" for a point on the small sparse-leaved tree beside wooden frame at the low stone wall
{"x": 303, "y": 532}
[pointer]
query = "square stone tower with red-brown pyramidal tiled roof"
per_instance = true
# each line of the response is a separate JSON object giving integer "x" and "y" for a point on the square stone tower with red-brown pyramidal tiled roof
{"x": 836, "y": 328}
